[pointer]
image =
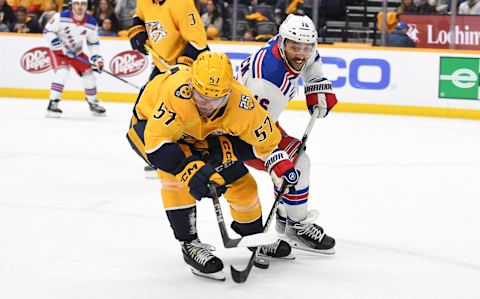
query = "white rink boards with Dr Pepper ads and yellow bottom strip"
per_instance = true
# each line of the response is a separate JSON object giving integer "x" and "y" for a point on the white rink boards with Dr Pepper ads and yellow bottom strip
{"x": 429, "y": 82}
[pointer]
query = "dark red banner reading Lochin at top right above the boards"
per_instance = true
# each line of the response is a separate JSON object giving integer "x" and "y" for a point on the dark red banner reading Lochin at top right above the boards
{"x": 433, "y": 31}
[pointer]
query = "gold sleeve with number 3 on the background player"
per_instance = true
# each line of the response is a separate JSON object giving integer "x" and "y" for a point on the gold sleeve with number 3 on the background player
{"x": 190, "y": 24}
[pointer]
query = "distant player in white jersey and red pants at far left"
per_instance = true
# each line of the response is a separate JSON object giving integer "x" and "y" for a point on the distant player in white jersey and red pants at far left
{"x": 66, "y": 33}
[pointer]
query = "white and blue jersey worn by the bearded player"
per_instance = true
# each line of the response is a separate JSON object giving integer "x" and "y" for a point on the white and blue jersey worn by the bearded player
{"x": 271, "y": 80}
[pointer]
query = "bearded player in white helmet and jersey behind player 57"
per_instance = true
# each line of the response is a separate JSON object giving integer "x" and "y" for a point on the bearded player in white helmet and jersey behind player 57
{"x": 272, "y": 74}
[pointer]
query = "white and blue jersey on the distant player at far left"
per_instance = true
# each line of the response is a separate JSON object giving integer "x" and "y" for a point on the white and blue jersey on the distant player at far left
{"x": 64, "y": 32}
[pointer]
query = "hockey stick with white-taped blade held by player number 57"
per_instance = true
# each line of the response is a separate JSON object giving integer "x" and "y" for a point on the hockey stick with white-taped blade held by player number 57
{"x": 246, "y": 241}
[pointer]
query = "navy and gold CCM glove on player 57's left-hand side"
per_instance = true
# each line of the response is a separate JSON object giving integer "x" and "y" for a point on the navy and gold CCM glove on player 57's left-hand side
{"x": 197, "y": 176}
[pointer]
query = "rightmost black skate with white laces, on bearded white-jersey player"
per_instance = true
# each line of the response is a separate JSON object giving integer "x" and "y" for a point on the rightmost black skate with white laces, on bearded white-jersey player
{"x": 306, "y": 235}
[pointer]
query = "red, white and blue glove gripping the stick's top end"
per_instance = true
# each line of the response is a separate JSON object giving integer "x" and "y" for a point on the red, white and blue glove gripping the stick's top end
{"x": 319, "y": 93}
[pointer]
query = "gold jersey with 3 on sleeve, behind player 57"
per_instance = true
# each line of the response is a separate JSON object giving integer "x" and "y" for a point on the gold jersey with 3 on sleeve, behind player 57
{"x": 170, "y": 25}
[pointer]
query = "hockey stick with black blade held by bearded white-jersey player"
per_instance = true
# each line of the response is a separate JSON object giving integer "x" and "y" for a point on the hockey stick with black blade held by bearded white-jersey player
{"x": 241, "y": 276}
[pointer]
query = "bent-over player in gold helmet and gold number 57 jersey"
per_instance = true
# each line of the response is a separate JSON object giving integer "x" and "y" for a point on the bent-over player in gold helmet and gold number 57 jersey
{"x": 182, "y": 113}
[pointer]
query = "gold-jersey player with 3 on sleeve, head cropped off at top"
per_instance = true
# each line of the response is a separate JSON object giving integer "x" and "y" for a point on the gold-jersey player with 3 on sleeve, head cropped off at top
{"x": 174, "y": 30}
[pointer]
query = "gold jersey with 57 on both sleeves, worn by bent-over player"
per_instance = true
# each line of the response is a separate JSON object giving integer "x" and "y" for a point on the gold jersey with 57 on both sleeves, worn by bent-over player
{"x": 173, "y": 116}
